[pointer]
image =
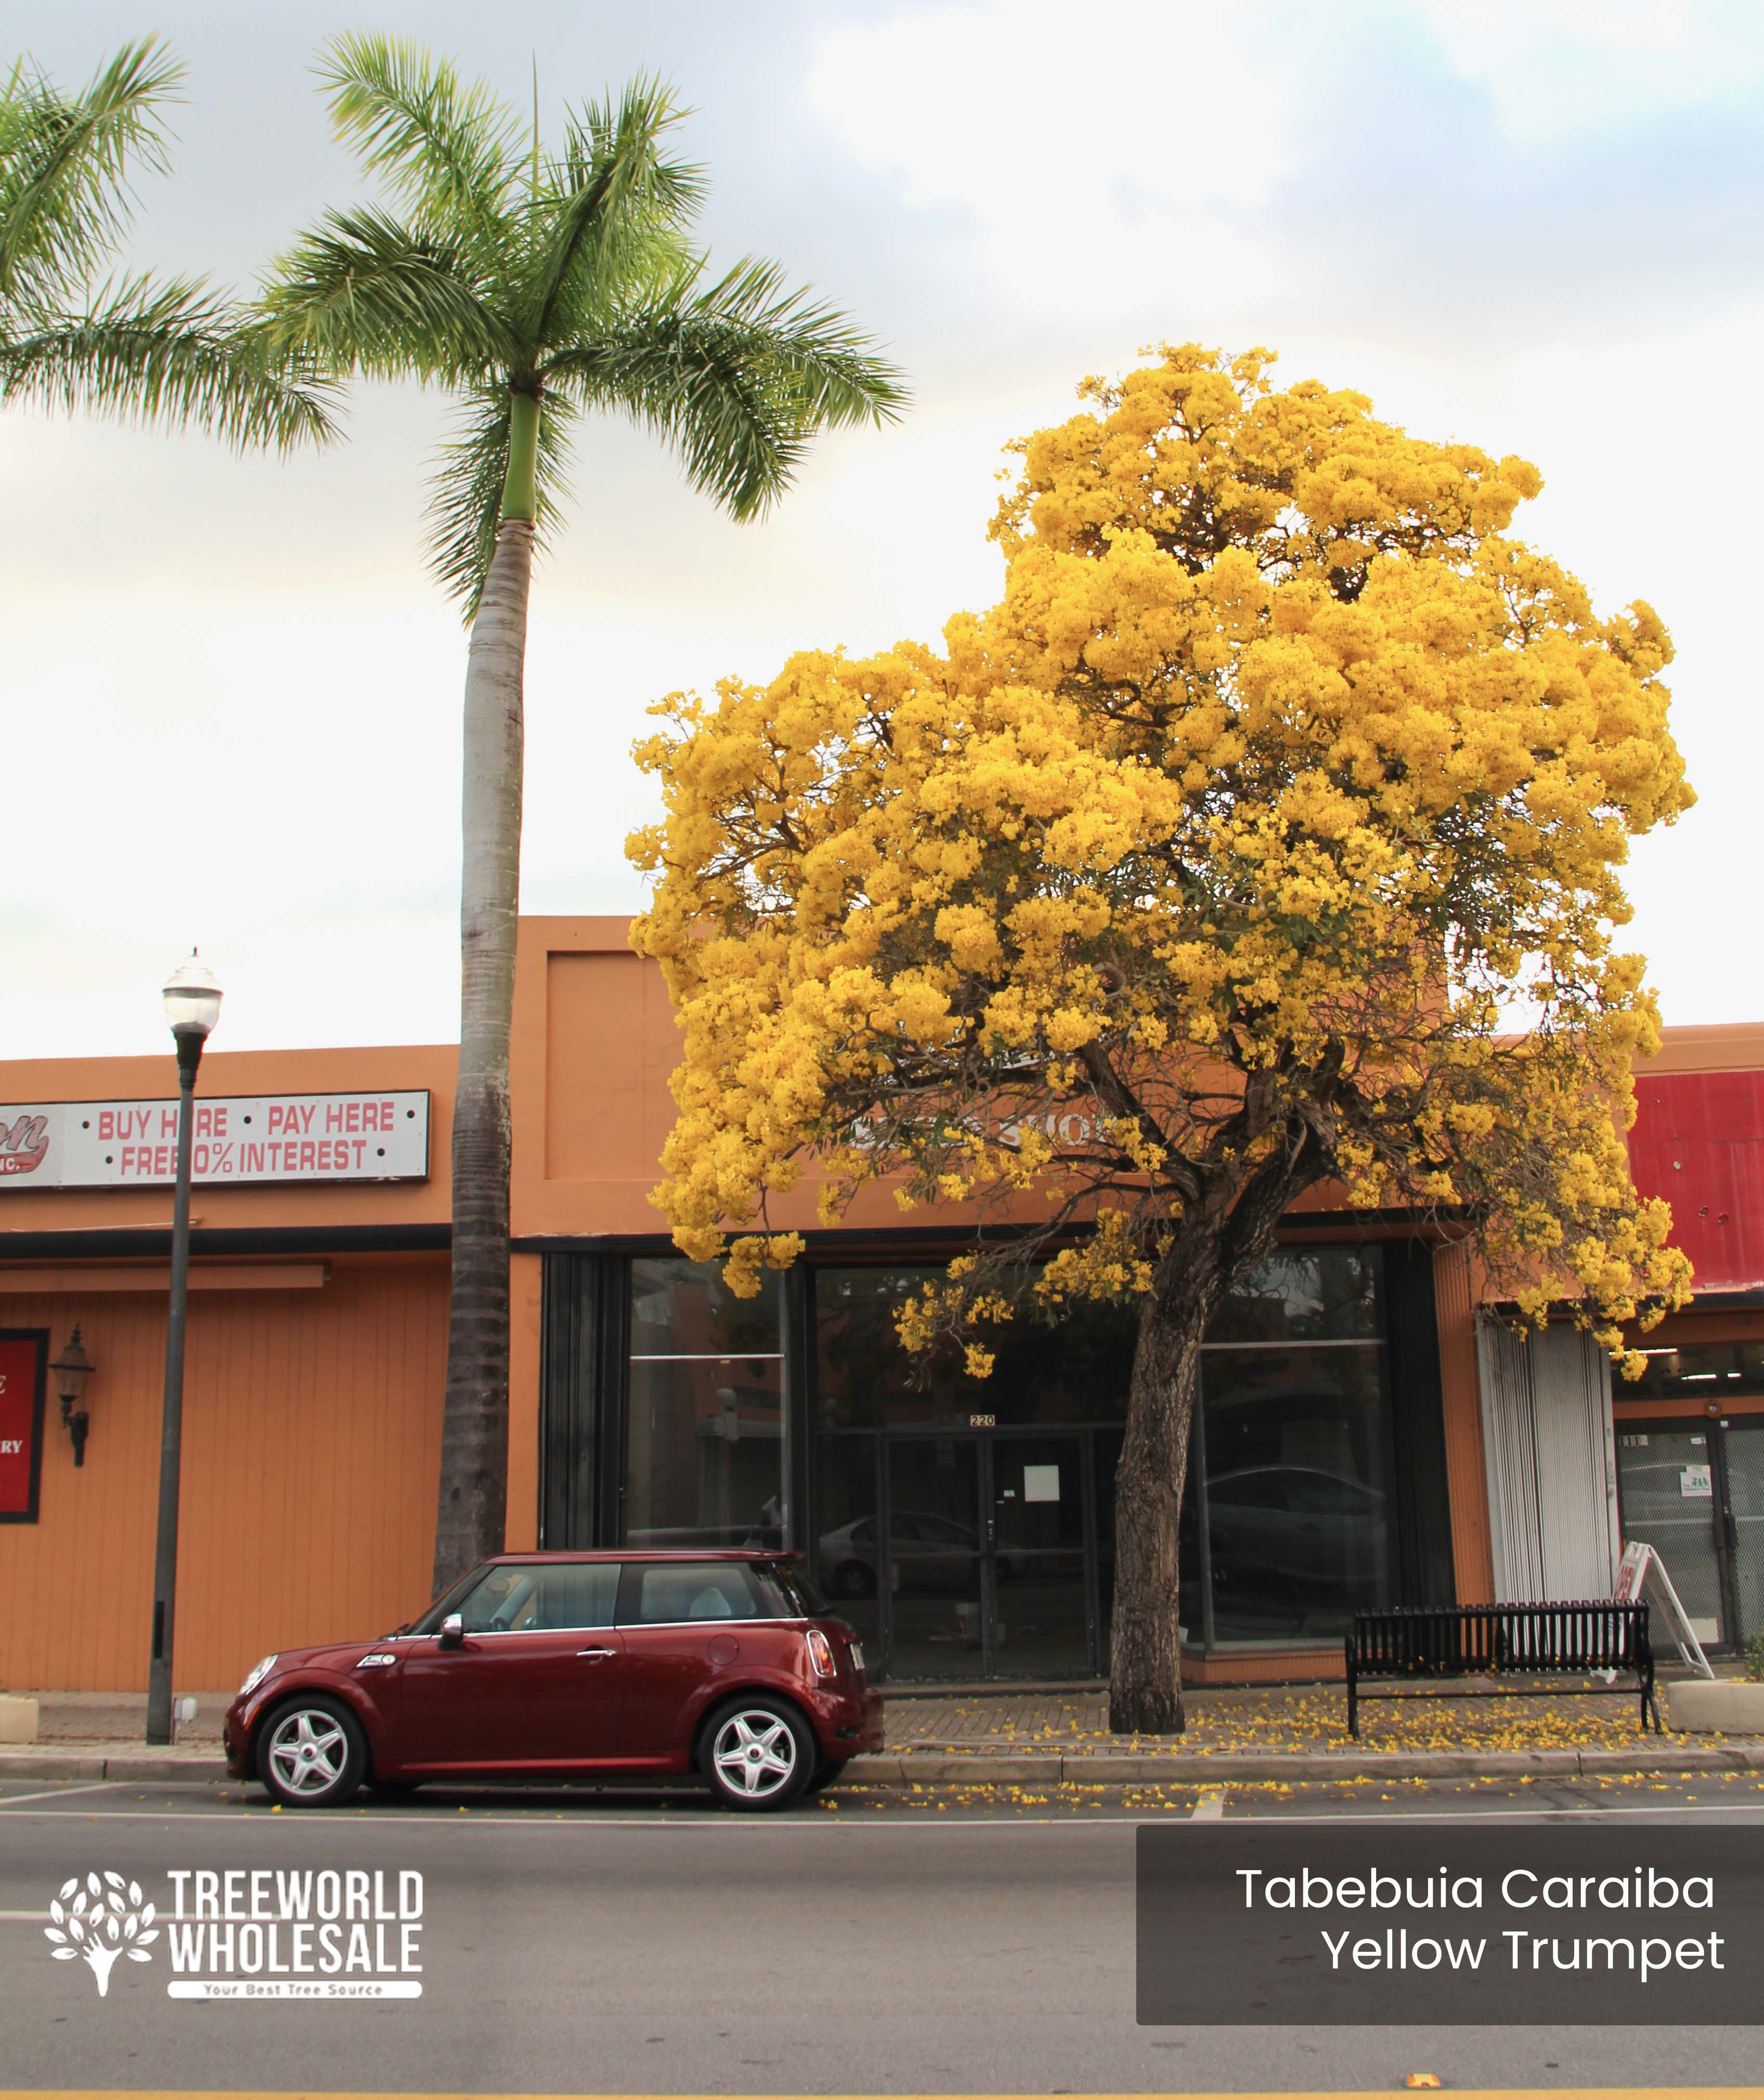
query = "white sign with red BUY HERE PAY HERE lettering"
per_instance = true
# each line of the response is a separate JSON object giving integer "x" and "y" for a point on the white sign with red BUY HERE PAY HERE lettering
{"x": 236, "y": 1139}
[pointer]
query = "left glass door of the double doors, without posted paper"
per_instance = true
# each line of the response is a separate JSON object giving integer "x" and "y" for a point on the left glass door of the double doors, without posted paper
{"x": 938, "y": 1576}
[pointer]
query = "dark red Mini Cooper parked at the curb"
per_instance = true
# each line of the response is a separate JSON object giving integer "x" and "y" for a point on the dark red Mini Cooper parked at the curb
{"x": 574, "y": 1666}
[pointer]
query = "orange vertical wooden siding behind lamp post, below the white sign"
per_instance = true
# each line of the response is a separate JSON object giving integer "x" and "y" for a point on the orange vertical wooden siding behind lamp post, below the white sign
{"x": 312, "y": 1452}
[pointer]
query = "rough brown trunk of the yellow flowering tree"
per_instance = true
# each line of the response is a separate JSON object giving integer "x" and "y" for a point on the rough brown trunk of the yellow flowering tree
{"x": 1146, "y": 1652}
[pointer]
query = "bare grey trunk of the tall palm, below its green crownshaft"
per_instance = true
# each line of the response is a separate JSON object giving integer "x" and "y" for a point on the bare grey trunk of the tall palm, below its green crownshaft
{"x": 476, "y": 1425}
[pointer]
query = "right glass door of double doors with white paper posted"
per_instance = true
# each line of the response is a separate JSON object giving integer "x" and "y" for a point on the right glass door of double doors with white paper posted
{"x": 1043, "y": 1587}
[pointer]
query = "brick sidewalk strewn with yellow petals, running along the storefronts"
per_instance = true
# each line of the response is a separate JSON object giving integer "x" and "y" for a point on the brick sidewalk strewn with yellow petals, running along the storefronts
{"x": 1043, "y": 1736}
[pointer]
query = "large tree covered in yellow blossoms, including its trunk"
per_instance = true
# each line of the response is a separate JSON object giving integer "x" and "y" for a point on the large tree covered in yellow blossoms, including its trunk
{"x": 1263, "y": 835}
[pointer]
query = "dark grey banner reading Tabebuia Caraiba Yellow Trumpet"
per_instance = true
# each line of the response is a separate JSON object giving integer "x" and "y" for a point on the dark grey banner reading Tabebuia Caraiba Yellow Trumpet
{"x": 1450, "y": 1925}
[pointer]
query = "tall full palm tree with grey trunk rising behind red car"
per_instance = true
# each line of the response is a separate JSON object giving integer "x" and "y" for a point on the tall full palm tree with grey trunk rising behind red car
{"x": 537, "y": 287}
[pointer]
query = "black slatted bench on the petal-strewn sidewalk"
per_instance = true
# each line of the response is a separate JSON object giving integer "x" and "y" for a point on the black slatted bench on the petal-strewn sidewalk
{"x": 1473, "y": 1641}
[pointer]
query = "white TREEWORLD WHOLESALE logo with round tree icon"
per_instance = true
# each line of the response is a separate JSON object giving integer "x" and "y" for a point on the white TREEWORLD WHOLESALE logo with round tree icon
{"x": 253, "y": 1933}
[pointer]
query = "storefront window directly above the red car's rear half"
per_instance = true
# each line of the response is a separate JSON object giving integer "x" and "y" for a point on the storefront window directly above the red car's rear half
{"x": 707, "y": 1425}
